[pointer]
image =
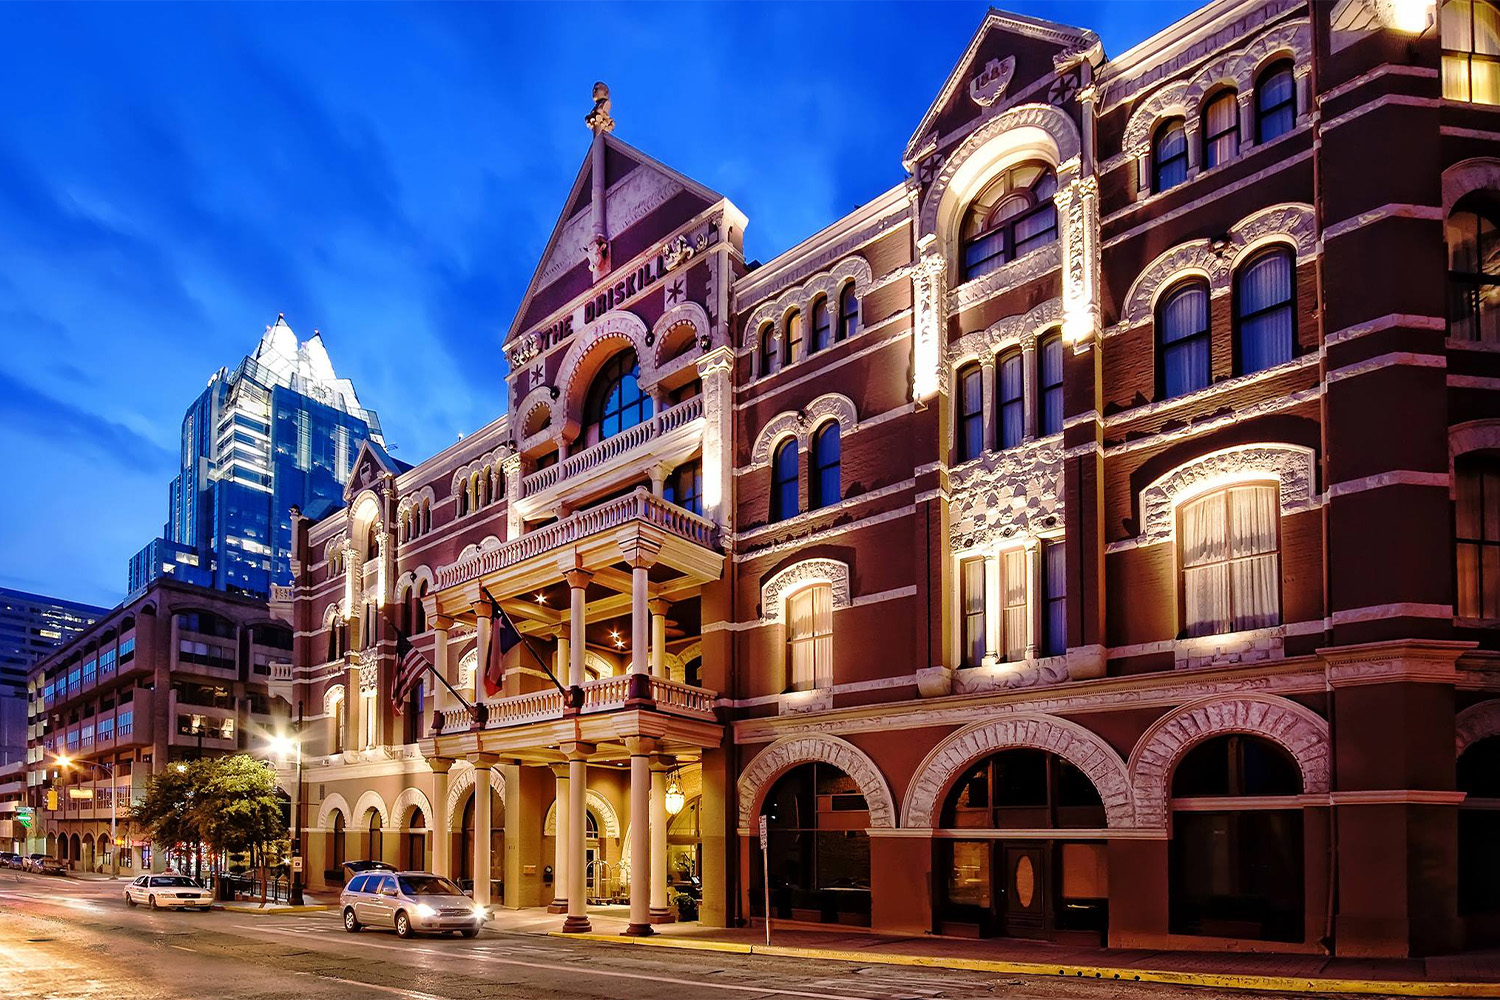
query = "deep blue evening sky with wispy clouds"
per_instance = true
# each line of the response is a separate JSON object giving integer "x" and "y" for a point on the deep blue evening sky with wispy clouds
{"x": 172, "y": 178}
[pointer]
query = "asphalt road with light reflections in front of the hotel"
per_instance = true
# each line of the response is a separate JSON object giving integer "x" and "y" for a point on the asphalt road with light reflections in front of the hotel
{"x": 64, "y": 939}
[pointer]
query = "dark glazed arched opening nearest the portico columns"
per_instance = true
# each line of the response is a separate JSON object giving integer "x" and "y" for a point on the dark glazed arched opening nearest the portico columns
{"x": 818, "y": 848}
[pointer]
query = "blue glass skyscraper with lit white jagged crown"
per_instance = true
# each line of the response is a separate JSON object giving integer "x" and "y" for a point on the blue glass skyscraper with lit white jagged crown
{"x": 281, "y": 430}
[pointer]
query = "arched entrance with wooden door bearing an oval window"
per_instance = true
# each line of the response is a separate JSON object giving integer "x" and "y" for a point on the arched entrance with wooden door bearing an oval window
{"x": 1001, "y": 882}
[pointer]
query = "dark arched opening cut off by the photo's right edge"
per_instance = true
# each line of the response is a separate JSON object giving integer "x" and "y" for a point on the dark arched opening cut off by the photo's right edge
{"x": 1478, "y": 836}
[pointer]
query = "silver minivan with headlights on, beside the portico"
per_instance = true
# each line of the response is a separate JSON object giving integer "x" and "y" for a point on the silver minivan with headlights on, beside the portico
{"x": 410, "y": 902}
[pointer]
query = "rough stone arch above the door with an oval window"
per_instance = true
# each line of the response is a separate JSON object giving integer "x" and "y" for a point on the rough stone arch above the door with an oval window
{"x": 1070, "y": 741}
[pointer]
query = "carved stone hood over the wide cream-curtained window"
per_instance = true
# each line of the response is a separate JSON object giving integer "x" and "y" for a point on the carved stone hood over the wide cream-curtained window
{"x": 1292, "y": 466}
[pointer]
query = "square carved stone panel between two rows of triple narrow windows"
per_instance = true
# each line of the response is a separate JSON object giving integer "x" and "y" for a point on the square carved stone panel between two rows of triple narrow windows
{"x": 1006, "y": 496}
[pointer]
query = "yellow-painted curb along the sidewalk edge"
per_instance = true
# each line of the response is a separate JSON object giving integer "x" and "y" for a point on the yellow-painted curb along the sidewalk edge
{"x": 1223, "y": 981}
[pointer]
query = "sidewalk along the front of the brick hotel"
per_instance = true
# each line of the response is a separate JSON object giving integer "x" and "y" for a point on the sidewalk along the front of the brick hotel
{"x": 1469, "y": 975}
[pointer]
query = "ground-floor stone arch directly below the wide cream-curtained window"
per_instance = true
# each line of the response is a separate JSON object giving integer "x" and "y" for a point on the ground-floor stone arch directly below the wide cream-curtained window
{"x": 1298, "y": 729}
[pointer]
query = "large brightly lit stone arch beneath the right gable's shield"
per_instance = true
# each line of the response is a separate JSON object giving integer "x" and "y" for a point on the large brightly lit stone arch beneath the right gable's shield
{"x": 1012, "y": 136}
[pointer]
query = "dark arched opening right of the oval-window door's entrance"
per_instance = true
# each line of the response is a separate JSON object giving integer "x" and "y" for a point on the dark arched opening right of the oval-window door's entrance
{"x": 1237, "y": 842}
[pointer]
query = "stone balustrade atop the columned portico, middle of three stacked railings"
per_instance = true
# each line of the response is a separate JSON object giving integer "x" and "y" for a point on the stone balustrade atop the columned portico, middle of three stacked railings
{"x": 640, "y": 506}
